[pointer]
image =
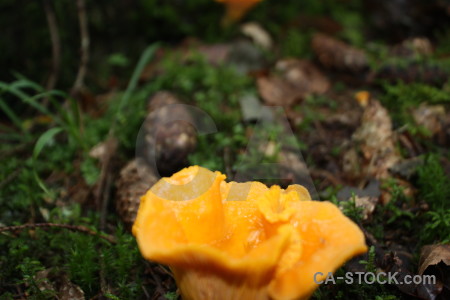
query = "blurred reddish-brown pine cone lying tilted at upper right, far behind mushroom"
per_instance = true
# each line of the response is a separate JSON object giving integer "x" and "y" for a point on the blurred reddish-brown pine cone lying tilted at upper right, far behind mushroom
{"x": 335, "y": 54}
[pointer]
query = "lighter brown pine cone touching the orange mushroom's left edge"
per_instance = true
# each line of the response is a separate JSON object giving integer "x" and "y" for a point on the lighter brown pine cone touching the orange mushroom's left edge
{"x": 131, "y": 186}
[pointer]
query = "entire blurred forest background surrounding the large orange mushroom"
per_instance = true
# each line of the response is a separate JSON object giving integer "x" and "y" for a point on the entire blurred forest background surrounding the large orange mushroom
{"x": 362, "y": 95}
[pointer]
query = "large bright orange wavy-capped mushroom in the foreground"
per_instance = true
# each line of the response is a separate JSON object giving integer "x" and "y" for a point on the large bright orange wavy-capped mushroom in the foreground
{"x": 242, "y": 240}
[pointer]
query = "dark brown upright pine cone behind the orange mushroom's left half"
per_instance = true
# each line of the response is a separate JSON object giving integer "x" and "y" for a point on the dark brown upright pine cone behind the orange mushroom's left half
{"x": 169, "y": 143}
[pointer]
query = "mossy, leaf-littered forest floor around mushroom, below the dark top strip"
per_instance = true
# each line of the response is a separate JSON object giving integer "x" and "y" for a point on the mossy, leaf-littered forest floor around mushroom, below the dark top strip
{"x": 367, "y": 128}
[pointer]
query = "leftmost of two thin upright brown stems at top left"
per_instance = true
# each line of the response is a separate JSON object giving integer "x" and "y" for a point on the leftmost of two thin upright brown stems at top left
{"x": 56, "y": 45}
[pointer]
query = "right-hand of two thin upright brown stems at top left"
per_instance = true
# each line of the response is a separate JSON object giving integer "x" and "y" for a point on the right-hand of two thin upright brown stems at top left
{"x": 84, "y": 50}
